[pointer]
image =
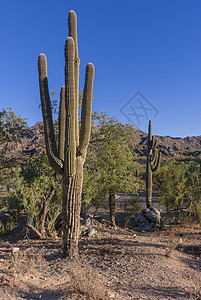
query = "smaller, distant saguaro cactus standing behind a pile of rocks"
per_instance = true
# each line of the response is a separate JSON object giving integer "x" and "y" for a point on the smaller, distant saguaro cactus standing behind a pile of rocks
{"x": 153, "y": 163}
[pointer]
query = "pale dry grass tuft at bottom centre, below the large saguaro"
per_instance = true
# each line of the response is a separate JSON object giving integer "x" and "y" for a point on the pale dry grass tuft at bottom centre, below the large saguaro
{"x": 85, "y": 283}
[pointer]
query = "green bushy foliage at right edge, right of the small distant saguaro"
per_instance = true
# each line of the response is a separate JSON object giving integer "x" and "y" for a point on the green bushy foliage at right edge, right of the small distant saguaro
{"x": 179, "y": 184}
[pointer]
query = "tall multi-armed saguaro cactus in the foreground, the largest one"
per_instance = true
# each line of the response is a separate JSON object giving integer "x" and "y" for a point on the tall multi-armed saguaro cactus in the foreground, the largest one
{"x": 69, "y": 155}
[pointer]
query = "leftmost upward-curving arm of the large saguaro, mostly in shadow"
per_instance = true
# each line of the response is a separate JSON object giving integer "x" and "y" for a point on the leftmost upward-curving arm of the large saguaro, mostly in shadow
{"x": 51, "y": 146}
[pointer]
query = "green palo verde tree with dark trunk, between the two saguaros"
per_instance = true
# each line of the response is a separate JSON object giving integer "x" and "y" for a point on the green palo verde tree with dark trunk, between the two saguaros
{"x": 110, "y": 165}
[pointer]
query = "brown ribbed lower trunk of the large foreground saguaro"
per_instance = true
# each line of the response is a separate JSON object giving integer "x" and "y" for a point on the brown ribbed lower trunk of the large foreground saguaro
{"x": 72, "y": 190}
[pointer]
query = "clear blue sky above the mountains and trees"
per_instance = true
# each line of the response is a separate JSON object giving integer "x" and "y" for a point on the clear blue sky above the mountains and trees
{"x": 147, "y": 46}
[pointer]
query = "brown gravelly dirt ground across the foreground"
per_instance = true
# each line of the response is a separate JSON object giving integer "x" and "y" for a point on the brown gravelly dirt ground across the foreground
{"x": 113, "y": 264}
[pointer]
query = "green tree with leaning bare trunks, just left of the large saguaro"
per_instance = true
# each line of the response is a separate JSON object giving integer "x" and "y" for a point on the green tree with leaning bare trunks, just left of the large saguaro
{"x": 36, "y": 191}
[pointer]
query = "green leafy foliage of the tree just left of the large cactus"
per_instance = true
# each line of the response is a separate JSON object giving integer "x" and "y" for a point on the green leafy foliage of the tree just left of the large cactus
{"x": 32, "y": 186}
